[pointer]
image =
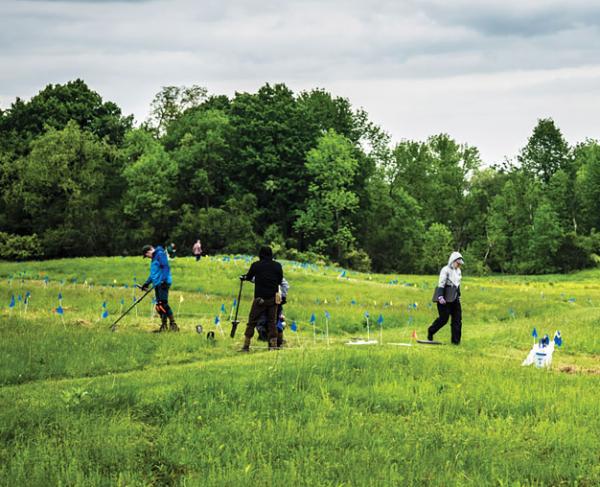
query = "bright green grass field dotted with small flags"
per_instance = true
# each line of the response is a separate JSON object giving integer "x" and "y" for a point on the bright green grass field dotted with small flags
{"x": 80, "y": 405}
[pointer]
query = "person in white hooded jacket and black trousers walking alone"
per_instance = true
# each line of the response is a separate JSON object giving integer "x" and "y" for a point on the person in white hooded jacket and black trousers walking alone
{"x": 447, "y": 296}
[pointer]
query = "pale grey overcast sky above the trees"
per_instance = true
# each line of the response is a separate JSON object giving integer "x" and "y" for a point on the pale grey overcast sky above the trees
{"x": 482, "y": 71}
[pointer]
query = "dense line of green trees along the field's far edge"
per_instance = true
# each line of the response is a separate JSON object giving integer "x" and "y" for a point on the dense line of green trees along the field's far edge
{"x": 307, "y": 173}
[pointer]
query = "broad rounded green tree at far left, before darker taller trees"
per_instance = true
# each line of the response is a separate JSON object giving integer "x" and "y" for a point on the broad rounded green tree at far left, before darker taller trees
{"x": 61, "y": 186}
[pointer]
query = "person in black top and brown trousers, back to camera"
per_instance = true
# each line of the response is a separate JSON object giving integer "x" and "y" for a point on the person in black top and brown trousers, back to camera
{"x": 267, "y": 275}
